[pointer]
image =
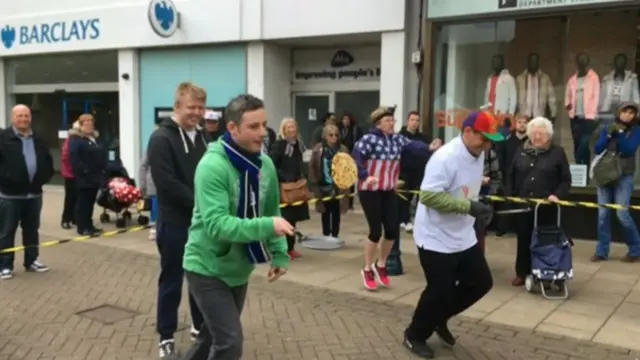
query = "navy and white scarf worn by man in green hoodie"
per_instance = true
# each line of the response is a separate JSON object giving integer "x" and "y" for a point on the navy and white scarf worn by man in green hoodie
{"x": 248, "y": 165}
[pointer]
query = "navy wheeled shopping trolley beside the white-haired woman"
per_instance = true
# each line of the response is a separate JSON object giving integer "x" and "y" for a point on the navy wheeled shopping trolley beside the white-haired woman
{"x": 551, "y": 260}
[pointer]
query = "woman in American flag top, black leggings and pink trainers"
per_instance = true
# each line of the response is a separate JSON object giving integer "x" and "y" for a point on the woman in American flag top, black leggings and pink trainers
{"x": 377, "y": 155}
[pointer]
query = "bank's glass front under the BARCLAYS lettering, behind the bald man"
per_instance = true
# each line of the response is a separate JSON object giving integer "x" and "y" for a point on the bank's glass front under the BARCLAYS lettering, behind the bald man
{"x": 60, "y": 87}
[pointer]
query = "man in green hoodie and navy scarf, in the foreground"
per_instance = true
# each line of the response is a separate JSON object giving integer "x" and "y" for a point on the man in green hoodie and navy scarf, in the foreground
{"x": 236, "y": 224}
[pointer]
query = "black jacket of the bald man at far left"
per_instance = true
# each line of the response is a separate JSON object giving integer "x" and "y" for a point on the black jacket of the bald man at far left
{"x": 14, "y": 178}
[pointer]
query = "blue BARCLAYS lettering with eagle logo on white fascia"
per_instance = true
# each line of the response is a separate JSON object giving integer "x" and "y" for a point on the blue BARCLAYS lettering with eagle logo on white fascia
{"x": 50, "y": 33}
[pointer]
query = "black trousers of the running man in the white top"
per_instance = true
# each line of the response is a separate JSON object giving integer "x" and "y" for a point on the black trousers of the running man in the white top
{"x": 442, "y": 298}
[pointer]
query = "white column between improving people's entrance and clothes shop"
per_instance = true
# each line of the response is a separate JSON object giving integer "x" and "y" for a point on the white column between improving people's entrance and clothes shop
{"x": 392, "y": 64}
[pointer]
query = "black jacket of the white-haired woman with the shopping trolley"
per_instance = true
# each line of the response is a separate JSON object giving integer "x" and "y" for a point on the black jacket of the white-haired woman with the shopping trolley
{"x": 541, "y": 175}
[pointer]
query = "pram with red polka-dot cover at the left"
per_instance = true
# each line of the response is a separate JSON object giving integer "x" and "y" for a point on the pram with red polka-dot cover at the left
{"x": 109, "y": 202}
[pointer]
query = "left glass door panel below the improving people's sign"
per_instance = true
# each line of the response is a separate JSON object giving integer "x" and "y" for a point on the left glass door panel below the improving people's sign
{"x": 308, "y": 110}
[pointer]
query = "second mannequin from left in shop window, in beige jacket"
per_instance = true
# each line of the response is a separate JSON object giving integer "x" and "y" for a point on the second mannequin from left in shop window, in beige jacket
{"x": 535, "y": 91}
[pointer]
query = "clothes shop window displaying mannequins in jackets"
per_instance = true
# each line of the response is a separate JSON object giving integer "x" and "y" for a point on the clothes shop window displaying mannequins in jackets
{"x": 528, "y": 65}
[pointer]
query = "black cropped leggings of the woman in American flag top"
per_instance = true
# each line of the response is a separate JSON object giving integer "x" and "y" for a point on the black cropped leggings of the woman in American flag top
{"x": 381, "y": 211}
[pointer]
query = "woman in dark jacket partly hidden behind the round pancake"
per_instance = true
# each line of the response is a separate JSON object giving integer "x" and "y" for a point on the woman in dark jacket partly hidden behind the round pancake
{"x": 321, "y": 181}
